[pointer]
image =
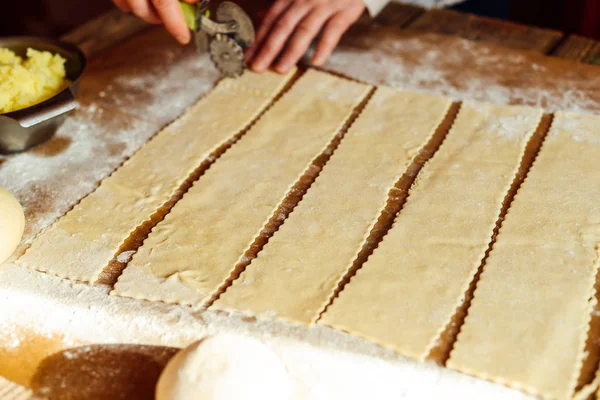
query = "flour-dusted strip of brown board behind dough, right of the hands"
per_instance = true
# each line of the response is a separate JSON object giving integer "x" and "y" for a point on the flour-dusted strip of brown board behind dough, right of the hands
{"x": 466, "y": 70}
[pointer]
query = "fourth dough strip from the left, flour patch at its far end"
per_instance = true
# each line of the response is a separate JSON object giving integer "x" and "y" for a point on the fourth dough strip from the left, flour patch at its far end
{"x": 406, "y": 293}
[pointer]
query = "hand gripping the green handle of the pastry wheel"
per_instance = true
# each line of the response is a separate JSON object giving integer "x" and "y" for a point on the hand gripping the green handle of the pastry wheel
{"x": 167, "y": 12}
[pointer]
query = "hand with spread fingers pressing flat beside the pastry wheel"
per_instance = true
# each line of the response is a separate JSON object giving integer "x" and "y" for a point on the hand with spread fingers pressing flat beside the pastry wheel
{"x": 290, "y": 26}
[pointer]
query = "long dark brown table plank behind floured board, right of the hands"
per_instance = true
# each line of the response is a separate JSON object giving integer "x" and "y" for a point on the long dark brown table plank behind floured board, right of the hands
{"x": 488, "y": 30}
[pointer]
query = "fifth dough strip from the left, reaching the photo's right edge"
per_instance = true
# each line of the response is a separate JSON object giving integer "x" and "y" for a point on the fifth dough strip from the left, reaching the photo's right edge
{"x": 528, "y": 321}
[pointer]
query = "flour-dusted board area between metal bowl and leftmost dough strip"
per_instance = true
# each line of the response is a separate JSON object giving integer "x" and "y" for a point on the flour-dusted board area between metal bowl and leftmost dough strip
{"x": 49, "y": 180}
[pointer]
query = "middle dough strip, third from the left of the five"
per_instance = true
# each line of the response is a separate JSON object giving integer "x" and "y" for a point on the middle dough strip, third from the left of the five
{"x": 295, "y": 275}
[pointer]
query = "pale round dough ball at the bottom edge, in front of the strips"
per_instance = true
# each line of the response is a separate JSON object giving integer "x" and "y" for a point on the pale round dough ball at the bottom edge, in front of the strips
{"x": 225, "y": 367}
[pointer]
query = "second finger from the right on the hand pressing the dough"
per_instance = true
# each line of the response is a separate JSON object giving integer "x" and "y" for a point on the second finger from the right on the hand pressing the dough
{"x": 303, "y": 36}
